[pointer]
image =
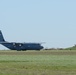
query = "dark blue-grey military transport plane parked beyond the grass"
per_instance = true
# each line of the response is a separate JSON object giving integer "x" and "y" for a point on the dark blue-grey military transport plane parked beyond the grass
{"x": 20, "y": 46}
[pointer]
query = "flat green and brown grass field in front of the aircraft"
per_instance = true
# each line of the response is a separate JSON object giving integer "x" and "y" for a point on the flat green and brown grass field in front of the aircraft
{"x": 50, "y": 62}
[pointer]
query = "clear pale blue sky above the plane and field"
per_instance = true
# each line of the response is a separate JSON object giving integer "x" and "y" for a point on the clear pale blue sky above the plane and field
{"x": 50, "y": 21}
